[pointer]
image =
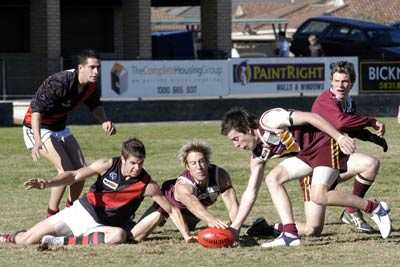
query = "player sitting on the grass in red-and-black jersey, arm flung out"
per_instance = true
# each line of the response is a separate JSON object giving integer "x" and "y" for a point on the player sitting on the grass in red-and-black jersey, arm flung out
{"x": 103, "y": 214}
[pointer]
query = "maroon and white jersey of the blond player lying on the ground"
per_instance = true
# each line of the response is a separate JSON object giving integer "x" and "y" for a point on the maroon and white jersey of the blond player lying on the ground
{"x": 207, "y": 195}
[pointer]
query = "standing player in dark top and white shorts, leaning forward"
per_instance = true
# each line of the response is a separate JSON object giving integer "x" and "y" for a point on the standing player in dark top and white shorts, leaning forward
{"x": 44, "y": 126}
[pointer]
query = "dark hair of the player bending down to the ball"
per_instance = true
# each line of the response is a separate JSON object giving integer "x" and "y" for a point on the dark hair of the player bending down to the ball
{"x": 239, "y": 119}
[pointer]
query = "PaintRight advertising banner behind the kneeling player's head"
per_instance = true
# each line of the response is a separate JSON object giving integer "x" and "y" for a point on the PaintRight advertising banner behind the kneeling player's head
{"x": 284, "y": 76}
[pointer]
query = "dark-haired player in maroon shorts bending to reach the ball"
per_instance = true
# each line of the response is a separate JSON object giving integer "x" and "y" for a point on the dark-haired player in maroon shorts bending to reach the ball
{"x": 280, "y": 132}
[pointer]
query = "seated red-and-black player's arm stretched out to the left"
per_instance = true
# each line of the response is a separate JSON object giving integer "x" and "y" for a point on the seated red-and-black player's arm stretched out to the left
{"x": 70, "y": 177}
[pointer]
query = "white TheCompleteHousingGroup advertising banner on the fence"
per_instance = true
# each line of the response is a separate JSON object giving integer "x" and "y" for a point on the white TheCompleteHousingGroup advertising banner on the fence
{"x": 155, "y": 78}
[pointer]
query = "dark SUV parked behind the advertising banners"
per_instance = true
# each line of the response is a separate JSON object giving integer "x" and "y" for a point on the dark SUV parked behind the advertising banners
{"x": 348, "y": 37}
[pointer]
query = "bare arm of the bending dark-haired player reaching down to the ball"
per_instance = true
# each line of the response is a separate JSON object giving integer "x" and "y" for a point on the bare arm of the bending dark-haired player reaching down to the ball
{"x": 250, "y": 194}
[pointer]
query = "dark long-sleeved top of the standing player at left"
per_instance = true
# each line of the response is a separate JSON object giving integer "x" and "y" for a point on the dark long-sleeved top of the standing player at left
{"x": 58, "y": 95}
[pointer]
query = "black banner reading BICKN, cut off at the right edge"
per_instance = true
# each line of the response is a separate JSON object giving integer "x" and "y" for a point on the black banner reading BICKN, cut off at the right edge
{"x": 380, "y": 76}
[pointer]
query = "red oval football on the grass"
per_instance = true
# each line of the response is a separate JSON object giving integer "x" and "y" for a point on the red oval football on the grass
{"x": 215, "y": 238}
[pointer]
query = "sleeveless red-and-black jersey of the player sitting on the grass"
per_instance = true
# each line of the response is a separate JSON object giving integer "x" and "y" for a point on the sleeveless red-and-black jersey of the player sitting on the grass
{"x": 112, "y": 200}
